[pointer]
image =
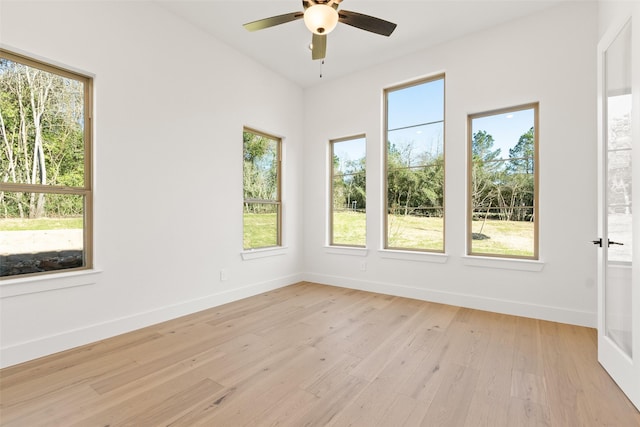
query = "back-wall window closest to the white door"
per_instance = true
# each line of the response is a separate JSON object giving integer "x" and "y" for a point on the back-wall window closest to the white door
{"x": 503, "y": 181}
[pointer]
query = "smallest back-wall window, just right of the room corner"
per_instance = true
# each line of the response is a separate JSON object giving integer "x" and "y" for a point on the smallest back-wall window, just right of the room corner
{"x": 348, "y": 190}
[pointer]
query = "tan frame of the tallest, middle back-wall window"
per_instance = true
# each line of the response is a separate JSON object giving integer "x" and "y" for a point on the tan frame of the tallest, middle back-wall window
{"x": 385, "y": 214}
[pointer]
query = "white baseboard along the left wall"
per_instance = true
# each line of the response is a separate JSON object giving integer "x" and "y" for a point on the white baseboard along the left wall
{"x": 66, "y": 340}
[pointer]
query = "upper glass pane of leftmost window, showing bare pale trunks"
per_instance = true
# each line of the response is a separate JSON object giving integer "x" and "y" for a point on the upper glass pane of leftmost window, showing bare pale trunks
{"x": 43, "y": 118}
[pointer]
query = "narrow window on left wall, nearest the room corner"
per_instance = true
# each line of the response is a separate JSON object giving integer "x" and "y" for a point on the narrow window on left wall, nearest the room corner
{"x": 262, "y": 204}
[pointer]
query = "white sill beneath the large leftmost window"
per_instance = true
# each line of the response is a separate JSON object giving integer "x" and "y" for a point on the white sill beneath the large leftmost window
{"x": 49, "y": 282}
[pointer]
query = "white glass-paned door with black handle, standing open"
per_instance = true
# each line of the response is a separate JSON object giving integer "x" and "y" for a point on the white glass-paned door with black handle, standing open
{"x": 619, "y": 230}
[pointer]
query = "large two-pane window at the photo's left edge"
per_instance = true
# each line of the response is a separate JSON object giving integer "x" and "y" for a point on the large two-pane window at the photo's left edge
{"x": 45, "y": 168}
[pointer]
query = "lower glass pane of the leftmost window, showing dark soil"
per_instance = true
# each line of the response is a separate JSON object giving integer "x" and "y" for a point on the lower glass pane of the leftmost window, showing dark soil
{"x": 54, "y": 241}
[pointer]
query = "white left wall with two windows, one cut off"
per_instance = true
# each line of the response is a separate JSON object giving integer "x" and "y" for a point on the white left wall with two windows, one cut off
{"x": 170, "y": 105}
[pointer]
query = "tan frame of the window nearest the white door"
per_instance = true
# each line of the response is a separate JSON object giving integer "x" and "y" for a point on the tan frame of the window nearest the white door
{"x": 535, "y": 106}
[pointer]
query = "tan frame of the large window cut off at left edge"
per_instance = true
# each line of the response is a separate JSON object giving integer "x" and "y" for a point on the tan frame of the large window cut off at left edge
{"x": 86, "y": 191}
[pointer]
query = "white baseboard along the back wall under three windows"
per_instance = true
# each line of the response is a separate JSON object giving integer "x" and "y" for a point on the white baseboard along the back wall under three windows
{"x": 554, "y": 314}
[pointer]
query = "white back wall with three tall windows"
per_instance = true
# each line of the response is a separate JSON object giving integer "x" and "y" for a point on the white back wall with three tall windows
{"x": 548, "y": 57}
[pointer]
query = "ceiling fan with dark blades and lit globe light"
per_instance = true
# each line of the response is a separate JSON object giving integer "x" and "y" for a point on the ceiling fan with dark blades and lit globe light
{"x": 321, "y": 17}
